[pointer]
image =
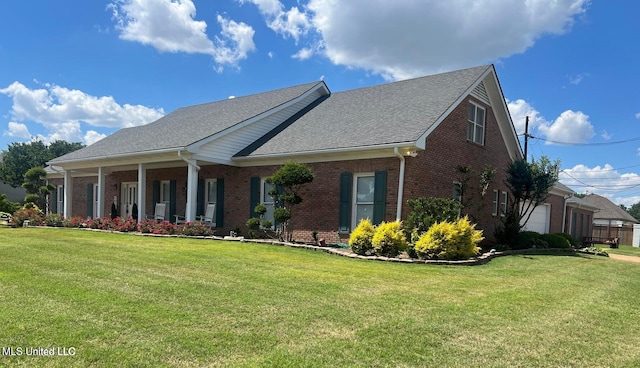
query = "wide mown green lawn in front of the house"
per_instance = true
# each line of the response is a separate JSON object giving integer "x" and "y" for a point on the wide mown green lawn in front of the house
{"x": 123, "y": 300}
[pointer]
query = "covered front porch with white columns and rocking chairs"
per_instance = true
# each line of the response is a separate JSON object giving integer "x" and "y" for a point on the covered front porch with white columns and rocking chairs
{"x": 134, "y": 188}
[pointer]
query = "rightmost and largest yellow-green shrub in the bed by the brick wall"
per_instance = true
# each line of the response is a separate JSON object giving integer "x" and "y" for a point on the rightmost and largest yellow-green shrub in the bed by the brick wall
{"x": 450, "y": 240}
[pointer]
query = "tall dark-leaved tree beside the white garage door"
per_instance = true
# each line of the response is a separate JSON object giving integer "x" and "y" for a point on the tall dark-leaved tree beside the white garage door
{"x": 529, "y": 184}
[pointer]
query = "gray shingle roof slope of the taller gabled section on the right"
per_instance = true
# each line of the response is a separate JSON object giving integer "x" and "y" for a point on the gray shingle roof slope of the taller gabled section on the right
{"x": 385, "y": 114}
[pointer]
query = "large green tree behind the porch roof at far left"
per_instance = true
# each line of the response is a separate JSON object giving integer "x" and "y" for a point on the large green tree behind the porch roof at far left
{"x": 20, "y": 157}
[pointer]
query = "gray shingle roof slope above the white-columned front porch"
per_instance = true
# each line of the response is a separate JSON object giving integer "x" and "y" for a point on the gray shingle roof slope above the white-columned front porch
{"x": 187, "y": 125}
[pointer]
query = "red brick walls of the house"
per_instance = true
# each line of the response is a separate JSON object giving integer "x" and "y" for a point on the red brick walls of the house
{"x": 431, "y": 173}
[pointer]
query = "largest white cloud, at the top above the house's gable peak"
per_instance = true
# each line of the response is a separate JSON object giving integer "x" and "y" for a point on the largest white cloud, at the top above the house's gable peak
{"x": 404, "y": 38}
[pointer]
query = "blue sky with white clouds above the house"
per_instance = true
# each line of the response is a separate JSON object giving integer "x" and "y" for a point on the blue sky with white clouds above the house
{"x": 79, "y": 70}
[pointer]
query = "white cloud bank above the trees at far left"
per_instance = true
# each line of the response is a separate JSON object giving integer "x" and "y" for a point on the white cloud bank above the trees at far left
{"x": 61, "y": 111}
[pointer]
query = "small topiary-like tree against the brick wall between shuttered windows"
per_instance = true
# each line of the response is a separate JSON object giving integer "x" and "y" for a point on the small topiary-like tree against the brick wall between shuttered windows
{"x": 289, "y": 178}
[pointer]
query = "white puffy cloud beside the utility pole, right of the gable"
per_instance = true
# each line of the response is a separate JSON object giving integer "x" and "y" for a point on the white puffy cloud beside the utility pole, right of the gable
{"x": 569, "y": 127}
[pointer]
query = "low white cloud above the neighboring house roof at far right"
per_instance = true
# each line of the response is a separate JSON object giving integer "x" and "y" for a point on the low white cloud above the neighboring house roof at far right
{"x": 605, "y": 180}
